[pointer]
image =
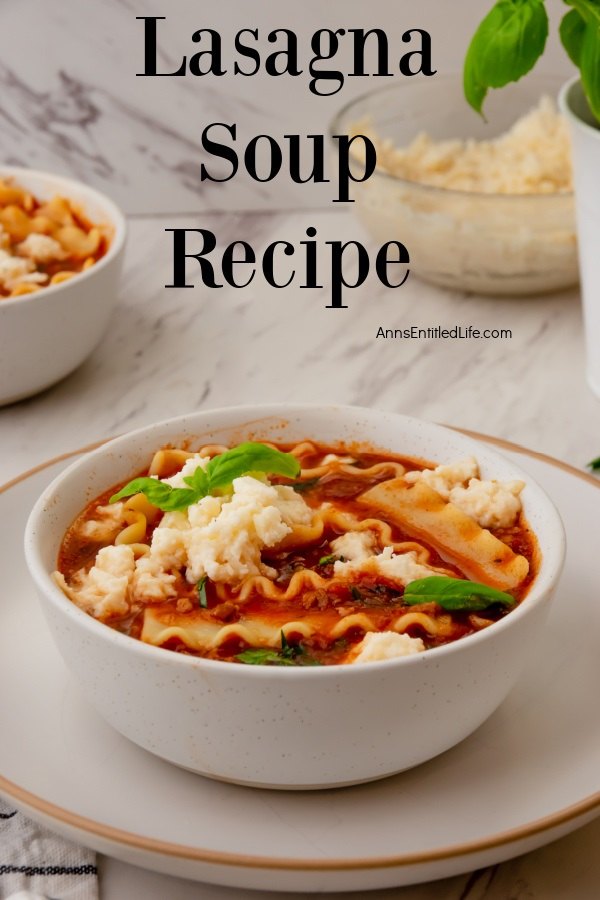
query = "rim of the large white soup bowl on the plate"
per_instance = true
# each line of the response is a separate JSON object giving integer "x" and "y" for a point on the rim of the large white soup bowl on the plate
{"x": 545, "y": 580}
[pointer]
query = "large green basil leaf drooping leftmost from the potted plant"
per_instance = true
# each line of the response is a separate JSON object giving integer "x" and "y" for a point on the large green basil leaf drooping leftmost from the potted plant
{"x": 505, "y": 46}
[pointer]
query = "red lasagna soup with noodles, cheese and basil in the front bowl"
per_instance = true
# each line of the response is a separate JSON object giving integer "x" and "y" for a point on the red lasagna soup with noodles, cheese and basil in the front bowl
{"x": 300, "y": 555}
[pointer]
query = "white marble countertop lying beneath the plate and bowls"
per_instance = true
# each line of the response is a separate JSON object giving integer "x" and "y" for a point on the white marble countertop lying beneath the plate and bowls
{"x": 171, "y": 351}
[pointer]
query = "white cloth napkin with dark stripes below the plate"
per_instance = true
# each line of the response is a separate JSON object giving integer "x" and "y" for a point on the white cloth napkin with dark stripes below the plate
{"x": 37, "y": 860}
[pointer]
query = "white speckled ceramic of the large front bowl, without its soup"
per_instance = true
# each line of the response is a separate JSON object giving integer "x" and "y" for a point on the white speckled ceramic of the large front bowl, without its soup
{"x": 278, "y": 727}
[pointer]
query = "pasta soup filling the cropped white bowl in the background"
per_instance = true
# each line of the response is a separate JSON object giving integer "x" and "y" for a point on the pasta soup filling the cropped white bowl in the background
{"x": 44, "y": 242}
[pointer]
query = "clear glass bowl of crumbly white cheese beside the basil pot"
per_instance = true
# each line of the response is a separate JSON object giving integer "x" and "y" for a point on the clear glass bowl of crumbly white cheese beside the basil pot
{"x": 482, "y": 205}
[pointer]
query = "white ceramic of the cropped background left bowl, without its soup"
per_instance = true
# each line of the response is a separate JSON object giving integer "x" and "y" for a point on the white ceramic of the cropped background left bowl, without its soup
{"x": 44, "y": 336}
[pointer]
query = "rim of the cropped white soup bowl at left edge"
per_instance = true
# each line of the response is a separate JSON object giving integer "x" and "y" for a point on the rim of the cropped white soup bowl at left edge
{"x": 66, "y": 184}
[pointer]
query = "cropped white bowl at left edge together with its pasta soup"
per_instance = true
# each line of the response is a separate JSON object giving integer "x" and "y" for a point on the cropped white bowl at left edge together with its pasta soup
{"x": 61, "y": 249}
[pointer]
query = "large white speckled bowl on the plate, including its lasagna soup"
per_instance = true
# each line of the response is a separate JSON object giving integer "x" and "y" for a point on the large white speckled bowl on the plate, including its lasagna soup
{"x": 295, "y": 596}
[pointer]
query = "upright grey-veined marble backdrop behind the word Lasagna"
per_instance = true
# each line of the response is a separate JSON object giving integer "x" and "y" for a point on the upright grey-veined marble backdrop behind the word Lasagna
{"x": 71, "y": 101}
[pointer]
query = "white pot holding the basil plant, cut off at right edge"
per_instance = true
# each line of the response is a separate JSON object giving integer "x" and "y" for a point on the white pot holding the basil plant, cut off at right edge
{"x": 585, "y": 133}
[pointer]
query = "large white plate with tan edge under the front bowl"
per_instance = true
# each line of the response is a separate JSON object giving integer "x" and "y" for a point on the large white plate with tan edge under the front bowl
{"x": 529, "y": 775}
